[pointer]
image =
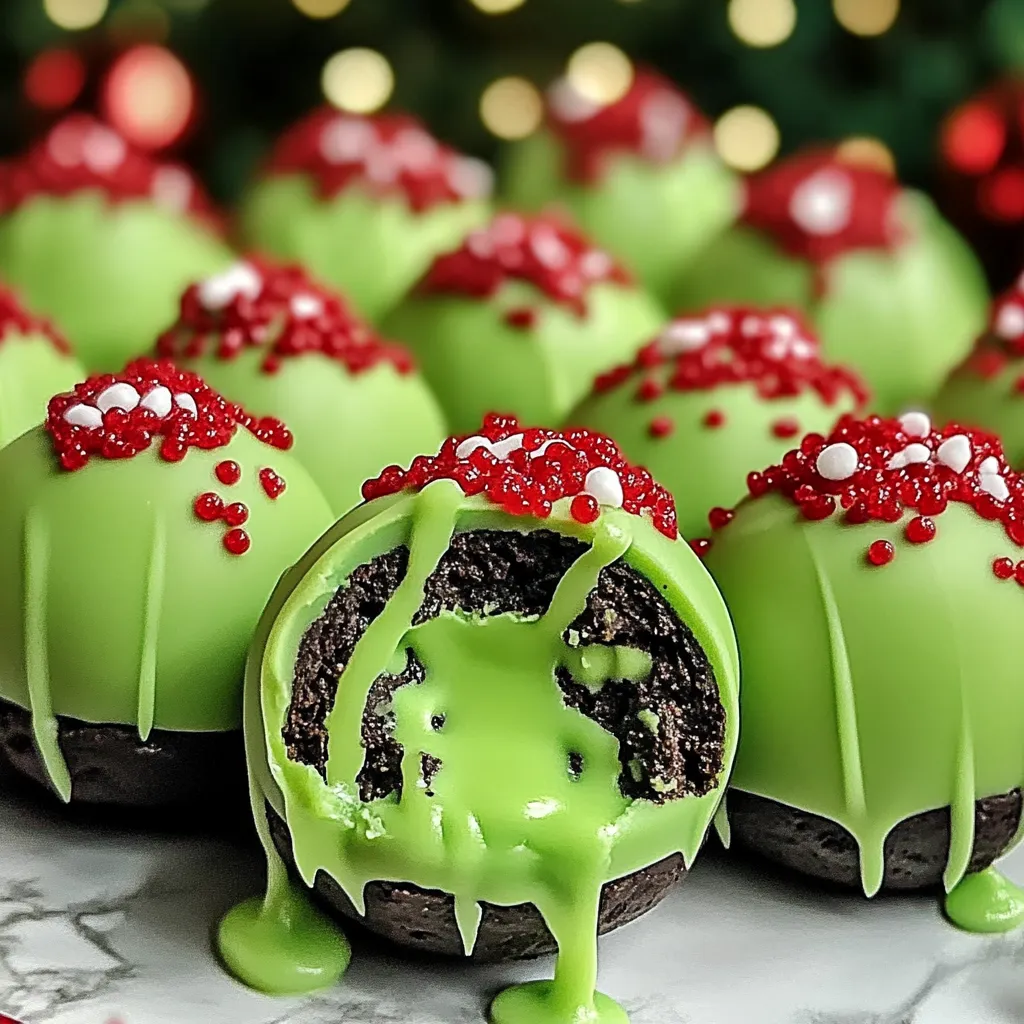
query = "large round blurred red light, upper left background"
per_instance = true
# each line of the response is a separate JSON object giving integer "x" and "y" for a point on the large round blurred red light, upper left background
{"x": 149, "y": 96}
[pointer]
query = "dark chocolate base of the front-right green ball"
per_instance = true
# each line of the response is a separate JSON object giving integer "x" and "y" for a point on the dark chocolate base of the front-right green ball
{"x": 916, "y": 850}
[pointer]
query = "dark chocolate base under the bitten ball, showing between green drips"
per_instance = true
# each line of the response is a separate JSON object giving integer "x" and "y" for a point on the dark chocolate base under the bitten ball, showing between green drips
{"x": 423, "y": 920}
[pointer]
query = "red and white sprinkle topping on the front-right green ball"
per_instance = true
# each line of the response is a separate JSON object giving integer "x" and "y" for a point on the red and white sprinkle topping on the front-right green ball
{"x": 879, "y": 470}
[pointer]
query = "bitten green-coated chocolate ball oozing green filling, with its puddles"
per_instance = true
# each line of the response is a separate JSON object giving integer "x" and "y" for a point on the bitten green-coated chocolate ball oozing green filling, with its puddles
{"x": 497, "y": 707}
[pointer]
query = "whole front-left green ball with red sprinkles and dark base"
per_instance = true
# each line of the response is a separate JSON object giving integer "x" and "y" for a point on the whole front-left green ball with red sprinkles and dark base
{"x": 143, "y": 529}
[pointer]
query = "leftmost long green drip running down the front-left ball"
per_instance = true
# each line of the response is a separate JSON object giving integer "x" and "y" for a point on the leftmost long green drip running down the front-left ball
{"x": 37, "y": 670}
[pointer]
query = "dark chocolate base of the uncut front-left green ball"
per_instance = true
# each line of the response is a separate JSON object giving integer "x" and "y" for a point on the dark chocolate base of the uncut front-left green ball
{"x": 111, "y": 765}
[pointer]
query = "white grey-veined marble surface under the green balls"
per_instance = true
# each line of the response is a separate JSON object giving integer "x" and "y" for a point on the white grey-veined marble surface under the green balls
{"x": 100, "y": 926}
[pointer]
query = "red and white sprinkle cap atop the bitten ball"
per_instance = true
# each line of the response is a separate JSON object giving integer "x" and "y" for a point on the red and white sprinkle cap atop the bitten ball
{"x": 526, "y": 471}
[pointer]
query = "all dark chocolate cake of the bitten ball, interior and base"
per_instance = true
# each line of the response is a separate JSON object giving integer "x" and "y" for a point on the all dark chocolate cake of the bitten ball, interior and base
{"x": 673, "y": 752}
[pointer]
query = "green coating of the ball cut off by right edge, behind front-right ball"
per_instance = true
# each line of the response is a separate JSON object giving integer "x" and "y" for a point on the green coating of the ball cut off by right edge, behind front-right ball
{"x": 995, "y": 404}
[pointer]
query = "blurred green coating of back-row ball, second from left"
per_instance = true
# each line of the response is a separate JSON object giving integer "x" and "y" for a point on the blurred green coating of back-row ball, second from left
{"x": 372, "y": 248}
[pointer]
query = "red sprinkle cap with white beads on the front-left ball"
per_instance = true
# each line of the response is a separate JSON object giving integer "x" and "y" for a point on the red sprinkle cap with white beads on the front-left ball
{"x": 117, "y": 416}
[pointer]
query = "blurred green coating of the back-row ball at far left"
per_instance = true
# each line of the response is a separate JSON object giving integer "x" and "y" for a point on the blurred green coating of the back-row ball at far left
{"x": 110, "y": 274}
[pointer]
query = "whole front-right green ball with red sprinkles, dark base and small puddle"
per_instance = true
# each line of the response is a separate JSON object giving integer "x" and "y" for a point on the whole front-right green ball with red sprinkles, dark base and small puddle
{"x": 876, "y": 581}
